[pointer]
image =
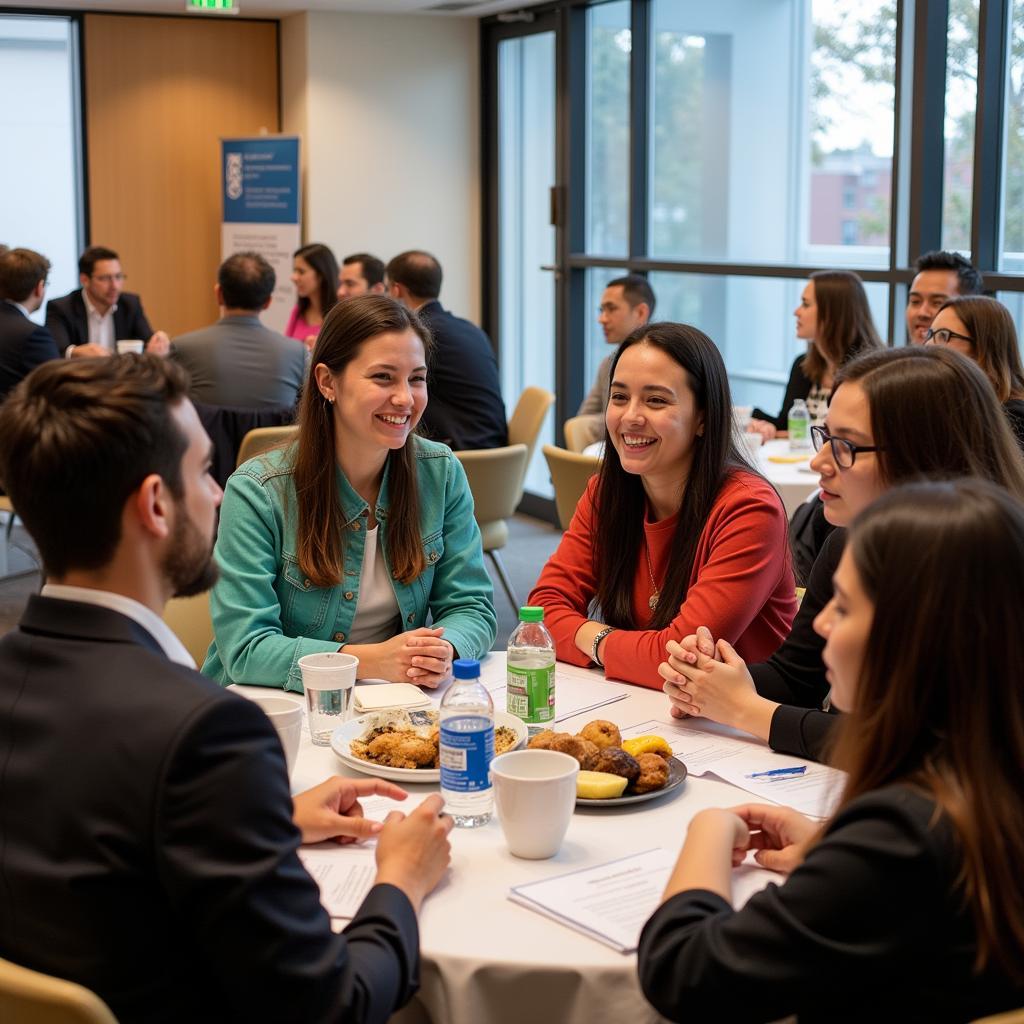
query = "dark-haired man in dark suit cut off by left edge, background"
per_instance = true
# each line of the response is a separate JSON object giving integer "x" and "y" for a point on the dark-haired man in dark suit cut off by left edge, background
{"x": 24, "y": 345}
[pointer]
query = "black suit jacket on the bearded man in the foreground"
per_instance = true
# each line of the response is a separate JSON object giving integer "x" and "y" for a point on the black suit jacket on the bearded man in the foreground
{"x": 147, "y": 847}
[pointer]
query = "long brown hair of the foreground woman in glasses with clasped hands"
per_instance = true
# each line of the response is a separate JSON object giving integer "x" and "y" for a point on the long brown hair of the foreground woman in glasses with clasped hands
{"x": 934, "y": 415}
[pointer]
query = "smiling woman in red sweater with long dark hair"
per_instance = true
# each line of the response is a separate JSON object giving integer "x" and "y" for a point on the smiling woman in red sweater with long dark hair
{"x": 676, "y": 529}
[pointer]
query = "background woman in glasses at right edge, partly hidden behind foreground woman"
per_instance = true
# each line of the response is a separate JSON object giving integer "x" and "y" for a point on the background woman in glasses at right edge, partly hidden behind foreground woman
{"x": 984, "y": 330}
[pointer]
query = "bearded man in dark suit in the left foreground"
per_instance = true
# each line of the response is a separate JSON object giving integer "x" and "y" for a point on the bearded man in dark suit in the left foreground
{"x": 148, "y": 839}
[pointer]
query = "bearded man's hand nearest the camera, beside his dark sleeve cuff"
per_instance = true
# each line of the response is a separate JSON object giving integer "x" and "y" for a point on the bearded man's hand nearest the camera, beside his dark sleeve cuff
{"x": 413, "y": 850}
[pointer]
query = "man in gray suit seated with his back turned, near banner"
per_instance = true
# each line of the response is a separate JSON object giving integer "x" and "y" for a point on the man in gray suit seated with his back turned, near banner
{"x": 237, "y": 362}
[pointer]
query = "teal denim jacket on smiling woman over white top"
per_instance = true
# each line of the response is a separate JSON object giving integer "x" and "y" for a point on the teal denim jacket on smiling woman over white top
{"x": 267, "y": 615}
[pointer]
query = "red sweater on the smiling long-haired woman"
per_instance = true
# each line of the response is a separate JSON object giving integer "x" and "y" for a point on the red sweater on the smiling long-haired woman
{"x": 741, "y": 587}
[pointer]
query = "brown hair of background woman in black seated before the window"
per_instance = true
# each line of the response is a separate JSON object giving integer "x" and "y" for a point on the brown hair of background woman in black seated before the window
{"x": 845, "y": 325}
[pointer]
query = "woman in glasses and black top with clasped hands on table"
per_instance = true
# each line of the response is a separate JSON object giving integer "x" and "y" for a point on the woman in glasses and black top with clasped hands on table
{"x": 897, "y": 415}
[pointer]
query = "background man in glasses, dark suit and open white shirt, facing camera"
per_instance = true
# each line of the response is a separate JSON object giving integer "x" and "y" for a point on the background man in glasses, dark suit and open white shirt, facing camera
{"x": 101, "y": 314}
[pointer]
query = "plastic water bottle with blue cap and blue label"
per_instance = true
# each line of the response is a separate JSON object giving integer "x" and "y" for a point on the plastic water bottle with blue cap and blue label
{"x": 467, "y": 747}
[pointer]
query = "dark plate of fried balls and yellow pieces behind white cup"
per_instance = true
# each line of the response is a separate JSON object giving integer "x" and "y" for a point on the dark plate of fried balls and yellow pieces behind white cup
{"x": 616, "y": 772}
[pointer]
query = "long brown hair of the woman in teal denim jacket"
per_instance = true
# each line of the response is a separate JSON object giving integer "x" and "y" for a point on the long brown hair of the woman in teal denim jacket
{"x": 321, "y": 523}
